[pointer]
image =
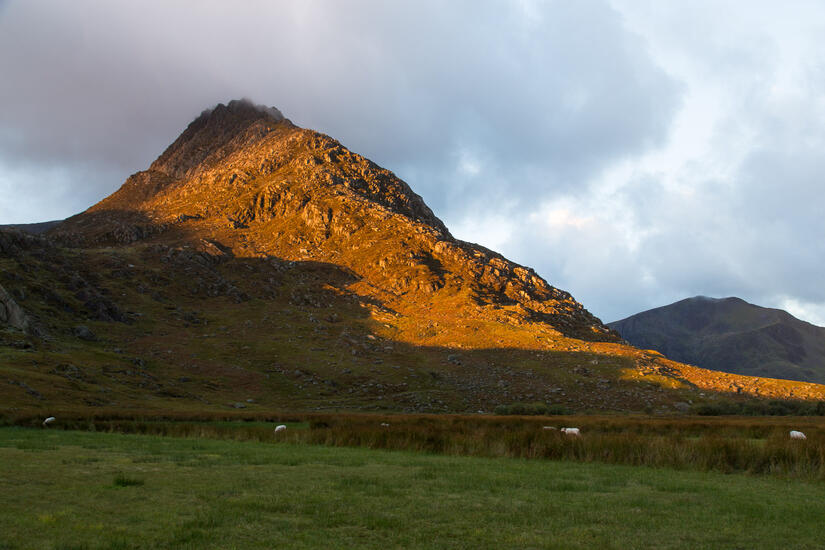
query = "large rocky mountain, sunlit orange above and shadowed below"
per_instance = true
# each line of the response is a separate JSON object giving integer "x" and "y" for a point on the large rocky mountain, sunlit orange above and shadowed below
{"x": 260, "y": 265}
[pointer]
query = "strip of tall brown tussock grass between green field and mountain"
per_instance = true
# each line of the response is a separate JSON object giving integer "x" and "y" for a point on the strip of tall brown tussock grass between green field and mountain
{"x": 726, "y": 444}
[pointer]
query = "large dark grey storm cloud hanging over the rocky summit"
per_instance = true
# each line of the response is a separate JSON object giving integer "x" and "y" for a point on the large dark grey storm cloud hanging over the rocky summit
{"x": 541, "y": 94}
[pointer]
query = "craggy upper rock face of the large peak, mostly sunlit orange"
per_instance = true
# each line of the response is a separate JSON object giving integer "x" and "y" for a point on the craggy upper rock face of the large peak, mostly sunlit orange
{"x": 259, "y": 185}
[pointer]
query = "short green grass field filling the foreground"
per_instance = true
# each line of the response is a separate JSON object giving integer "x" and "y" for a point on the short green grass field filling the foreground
{"x": 75, "y": 490}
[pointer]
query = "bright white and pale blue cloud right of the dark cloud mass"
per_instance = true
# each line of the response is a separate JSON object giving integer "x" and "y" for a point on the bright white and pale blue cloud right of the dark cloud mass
{"x": 743, "y": 220}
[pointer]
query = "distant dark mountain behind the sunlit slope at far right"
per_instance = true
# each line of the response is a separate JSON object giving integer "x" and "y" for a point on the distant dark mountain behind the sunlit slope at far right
{"x": 731, "y": 335}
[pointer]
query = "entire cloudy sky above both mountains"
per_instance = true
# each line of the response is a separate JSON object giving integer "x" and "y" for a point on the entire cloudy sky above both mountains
{"x": 633, "y": 152}
